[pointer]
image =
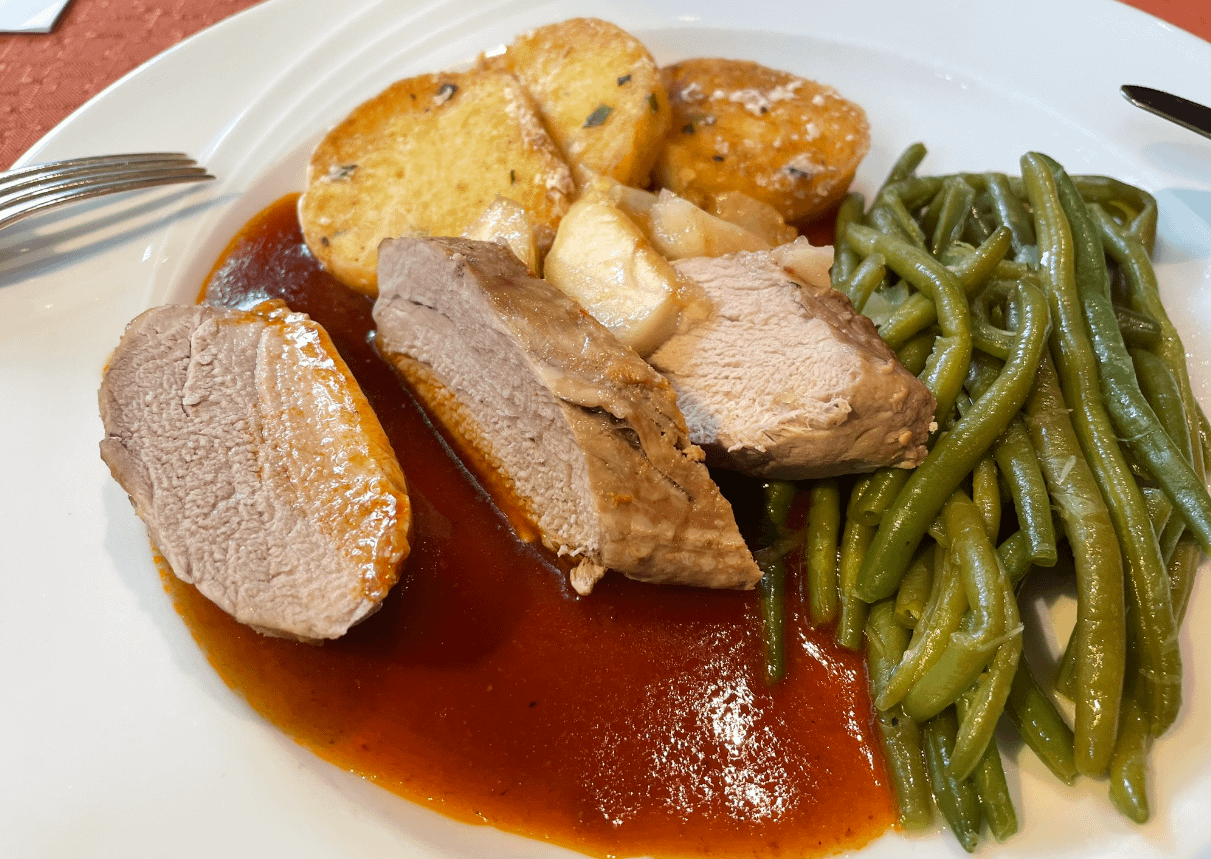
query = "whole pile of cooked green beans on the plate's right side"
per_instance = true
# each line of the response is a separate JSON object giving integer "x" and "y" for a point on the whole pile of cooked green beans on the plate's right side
{"x": 1067, "y": 437}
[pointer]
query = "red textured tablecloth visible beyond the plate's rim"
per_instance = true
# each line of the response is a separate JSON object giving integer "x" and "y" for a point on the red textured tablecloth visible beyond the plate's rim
{"x": 44, "y": 78}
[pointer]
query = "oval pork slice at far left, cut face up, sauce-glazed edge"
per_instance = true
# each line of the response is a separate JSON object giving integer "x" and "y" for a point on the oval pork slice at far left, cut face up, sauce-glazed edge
{"x": 257, "y": 465}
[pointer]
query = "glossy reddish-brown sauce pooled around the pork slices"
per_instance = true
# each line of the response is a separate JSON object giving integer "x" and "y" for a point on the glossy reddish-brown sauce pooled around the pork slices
{"x": 634, "y": 721}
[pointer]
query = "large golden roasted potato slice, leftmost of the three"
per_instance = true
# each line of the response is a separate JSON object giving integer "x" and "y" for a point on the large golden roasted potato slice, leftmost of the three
{"x": 427, "y": 157}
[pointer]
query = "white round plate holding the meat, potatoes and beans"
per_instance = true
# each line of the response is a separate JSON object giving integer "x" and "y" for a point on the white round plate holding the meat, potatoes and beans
{"x": 119, "y": 738}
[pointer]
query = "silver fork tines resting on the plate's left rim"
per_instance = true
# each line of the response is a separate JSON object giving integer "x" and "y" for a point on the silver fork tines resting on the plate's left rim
{"x": 37, "y": 188}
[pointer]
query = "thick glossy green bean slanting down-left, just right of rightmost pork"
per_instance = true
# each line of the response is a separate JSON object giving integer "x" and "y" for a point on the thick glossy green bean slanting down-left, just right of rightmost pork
{"x": 954, "y": 456}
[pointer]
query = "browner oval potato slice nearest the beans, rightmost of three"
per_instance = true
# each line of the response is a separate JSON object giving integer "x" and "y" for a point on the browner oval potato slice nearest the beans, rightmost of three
{"x": 739, "y": 127}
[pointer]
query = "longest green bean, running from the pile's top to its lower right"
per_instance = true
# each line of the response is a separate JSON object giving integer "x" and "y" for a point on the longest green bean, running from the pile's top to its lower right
{"x": 1152, "y": 619}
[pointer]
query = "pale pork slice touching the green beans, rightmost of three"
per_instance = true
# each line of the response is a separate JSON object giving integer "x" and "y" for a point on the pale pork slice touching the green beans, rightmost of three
{"x": 785, "y": 380}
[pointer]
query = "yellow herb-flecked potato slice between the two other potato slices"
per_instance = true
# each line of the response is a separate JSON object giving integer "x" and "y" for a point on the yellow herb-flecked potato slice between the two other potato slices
{"x": 600, "y": 95}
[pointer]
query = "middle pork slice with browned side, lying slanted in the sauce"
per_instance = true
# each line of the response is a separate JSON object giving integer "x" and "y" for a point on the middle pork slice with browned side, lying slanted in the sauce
{"x": 563, "y": 422}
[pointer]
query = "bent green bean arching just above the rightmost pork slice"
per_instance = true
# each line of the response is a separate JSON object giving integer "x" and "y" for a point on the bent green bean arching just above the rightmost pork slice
{"x": 954, "y": 351}
